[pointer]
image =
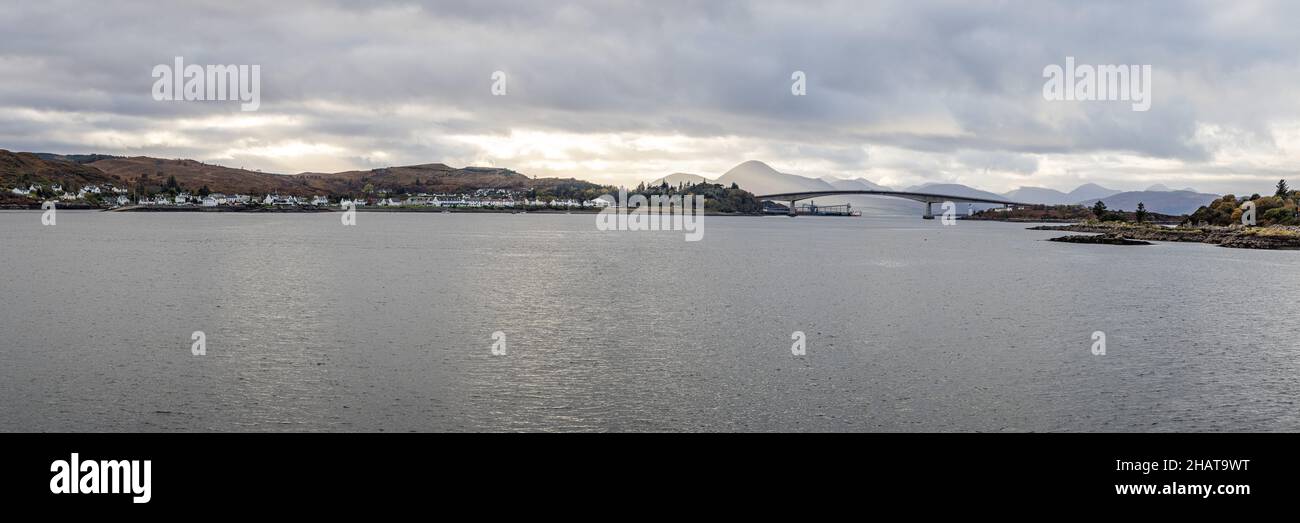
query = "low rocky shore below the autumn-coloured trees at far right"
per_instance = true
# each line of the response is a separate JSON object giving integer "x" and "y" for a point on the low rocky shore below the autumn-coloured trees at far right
{"x": 1256, "y": 237}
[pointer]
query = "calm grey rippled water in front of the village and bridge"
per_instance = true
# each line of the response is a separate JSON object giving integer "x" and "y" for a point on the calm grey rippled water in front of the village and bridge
{"x": 388, "y": 326}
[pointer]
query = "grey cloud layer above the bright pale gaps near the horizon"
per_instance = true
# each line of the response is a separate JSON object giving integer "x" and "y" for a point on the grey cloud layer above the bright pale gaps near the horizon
{"x": 699, "y": 70}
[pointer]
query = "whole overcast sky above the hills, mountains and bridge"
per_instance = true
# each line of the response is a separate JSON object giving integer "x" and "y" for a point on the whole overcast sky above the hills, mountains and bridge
{"x": 623, "y": 92}
